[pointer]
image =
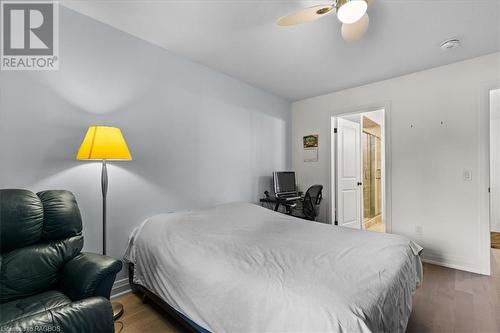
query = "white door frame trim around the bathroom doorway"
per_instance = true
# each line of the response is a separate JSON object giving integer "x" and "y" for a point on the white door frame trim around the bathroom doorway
{"x": 387, "y": 184}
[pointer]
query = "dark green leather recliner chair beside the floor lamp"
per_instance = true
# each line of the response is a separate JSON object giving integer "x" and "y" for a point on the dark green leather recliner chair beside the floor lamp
{"x": 46, "y": 283}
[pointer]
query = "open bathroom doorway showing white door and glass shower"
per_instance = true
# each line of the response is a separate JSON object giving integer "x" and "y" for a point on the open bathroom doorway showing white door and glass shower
{"x": 358, "y": 170}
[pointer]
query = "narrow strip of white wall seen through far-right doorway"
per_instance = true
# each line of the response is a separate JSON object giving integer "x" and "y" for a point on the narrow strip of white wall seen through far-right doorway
{"x": 495, "y": 159}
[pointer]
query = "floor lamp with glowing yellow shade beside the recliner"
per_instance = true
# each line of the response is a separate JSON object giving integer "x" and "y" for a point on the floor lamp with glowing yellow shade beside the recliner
{"x": 105, "y": 143}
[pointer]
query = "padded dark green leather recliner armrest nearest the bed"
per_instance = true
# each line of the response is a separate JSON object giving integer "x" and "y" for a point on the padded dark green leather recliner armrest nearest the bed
{"x": 89, "y": 274}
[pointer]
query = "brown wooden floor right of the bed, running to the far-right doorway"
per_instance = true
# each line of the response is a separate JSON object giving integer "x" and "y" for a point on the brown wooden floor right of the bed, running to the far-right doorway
{"x": 457, "y": 301}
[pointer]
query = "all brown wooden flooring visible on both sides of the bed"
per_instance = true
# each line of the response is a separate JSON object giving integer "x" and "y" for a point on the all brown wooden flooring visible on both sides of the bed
{"x": 449, "y": 301}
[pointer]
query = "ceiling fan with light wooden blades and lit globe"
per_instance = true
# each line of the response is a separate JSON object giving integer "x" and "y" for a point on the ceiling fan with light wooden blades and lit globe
{"x": 352, "y": 14}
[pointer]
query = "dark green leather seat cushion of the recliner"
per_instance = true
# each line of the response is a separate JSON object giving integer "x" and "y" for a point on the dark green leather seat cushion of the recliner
{"x": 32, "y": 305}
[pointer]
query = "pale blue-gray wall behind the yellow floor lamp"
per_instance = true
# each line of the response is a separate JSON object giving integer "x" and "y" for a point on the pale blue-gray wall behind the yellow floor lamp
{"x": 197, "y": 137}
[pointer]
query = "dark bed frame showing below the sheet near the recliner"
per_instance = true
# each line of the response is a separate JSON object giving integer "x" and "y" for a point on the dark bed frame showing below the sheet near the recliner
{"x": 183, "y": 322}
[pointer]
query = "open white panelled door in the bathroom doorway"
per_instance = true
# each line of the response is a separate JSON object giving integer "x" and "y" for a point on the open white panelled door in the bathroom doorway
{"x": 348, "y": 174}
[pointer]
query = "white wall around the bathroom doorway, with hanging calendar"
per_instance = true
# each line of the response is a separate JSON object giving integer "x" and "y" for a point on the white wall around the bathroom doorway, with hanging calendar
{"x": 428, "y": 160}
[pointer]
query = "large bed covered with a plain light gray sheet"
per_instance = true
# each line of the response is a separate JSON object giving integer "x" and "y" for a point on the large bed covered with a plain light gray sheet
{"x": 242, "y": 268}
